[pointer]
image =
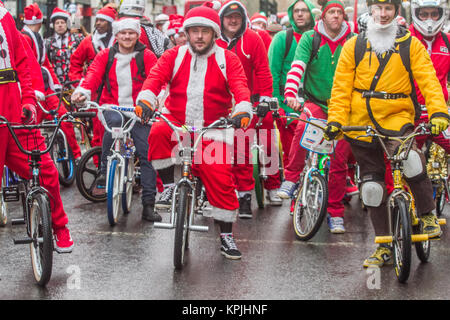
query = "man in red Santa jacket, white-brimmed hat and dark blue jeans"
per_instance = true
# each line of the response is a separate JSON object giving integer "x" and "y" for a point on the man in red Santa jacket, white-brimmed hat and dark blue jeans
{"x": 131, "y": 65}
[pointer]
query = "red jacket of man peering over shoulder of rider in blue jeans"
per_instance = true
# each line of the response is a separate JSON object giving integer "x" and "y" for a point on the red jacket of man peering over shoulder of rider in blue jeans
{"x": 83, "y": 56}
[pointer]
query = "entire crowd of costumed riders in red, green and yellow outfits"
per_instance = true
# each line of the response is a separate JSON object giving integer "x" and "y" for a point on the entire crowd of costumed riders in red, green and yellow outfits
{"x": 217, "y": 61}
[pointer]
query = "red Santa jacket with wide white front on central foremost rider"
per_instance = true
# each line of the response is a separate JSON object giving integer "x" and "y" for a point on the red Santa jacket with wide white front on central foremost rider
{"x": 201, "y": 87}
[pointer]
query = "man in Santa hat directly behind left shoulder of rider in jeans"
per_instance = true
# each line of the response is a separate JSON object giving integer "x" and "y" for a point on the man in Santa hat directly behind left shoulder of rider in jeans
{"x": 83, "y": 56}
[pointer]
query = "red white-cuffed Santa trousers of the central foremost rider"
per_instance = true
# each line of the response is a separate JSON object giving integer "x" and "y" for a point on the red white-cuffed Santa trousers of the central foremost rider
{"x": 212, "y": 164}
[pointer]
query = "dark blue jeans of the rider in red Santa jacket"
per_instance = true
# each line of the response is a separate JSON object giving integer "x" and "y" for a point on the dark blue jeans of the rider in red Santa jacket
{"x": 139, "y": 133}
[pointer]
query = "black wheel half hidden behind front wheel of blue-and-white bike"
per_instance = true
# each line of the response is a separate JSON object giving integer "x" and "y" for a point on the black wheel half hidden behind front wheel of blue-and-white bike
{"x": 87, "y": 173}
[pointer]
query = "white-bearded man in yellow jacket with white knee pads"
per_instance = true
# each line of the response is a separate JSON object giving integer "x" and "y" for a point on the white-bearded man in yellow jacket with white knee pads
{"x": 372, "y": 86}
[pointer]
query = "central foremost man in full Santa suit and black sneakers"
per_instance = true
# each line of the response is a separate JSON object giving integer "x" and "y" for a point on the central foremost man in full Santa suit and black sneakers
{"x": 204, "y": 79}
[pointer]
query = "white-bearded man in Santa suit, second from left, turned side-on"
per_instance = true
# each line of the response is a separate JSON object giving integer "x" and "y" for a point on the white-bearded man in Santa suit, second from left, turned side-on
{"x": 33, "y": 22}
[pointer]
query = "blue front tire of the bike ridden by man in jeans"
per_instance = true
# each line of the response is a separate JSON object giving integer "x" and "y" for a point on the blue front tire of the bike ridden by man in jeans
{"x": 113, "y": 195}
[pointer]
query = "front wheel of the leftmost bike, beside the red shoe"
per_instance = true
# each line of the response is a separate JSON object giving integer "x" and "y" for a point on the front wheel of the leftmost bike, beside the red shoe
{"x": 41, "y": 248}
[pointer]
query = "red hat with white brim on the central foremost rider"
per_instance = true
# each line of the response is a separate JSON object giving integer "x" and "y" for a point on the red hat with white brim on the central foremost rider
{"x": 204, "y": 16}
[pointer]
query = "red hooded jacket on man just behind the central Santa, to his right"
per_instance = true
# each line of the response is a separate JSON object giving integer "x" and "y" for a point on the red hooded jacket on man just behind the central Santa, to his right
{"x": 250, "y": 49}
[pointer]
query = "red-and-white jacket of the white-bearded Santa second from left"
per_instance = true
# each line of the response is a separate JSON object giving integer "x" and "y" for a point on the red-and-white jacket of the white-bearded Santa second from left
{"x": 50, "y": 79}
